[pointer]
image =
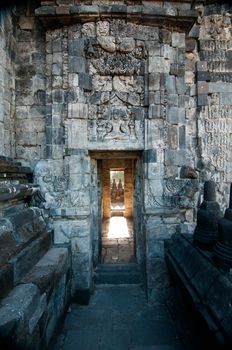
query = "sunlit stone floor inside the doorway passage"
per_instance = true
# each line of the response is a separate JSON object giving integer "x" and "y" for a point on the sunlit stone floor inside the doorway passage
{"x": 117, "y": 240}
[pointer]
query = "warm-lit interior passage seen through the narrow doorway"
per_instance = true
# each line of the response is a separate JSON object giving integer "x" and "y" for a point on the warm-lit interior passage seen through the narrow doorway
{"x": 117, "y": 230}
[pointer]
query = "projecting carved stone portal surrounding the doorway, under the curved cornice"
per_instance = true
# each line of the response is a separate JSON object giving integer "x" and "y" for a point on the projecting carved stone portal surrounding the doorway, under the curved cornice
{"x": 115, "y": 84}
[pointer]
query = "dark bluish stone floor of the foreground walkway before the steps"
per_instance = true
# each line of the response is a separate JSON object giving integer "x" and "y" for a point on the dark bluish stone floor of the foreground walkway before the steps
{"x": 118, "y": 318}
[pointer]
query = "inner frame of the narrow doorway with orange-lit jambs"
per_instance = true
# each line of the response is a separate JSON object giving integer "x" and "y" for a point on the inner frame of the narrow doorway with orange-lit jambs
{"x": 131, "y": 161}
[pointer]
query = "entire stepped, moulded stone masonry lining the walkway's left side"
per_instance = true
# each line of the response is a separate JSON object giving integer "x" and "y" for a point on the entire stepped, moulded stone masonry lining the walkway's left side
{"x": 34, "y": 276}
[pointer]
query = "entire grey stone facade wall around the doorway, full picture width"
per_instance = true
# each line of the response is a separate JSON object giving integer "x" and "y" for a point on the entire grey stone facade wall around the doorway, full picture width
{"x": 128, "y": 75}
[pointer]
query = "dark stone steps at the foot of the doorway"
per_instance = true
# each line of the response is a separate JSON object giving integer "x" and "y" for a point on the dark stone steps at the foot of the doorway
{"x": 118, "y": 274}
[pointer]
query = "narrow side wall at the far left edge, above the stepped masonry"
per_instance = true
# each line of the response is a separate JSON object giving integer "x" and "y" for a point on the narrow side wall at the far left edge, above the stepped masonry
{"x": 7, "y": 84}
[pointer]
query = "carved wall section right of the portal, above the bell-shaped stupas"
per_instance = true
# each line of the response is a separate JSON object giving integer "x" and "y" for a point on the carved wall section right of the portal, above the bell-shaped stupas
{"x": 208, "y": 74}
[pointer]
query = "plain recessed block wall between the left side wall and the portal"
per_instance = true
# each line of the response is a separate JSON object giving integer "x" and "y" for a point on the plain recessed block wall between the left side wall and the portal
{"x": 30, "y": 84}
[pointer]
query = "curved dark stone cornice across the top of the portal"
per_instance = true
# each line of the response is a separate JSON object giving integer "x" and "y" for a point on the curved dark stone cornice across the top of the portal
{"x": 170, "y": 17}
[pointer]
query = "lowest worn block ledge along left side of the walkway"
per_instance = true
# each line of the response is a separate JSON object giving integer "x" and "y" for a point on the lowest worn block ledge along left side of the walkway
{"x": 31, "y": 311}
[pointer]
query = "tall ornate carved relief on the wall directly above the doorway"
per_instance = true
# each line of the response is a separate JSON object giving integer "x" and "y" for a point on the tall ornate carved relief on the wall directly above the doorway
{"x": 115, "y": 65}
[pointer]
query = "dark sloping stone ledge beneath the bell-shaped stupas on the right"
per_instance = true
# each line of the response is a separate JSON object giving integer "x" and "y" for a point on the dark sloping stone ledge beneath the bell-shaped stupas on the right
{"x": 206, "y": 286}
